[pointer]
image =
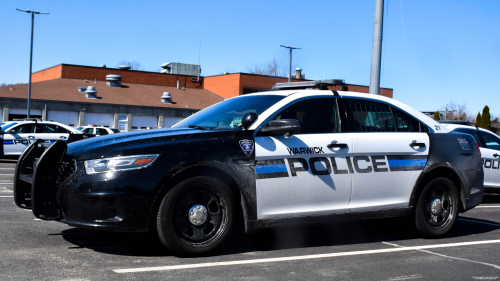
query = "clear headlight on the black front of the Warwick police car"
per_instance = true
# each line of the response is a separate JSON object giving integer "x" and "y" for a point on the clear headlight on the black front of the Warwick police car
{"x": 119, "y": 163}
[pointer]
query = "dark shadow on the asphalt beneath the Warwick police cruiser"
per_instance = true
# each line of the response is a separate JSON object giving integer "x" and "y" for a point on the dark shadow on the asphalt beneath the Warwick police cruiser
{"x": 279, "y": 238}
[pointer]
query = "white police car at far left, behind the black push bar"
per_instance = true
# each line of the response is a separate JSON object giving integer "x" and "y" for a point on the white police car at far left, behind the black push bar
{"x": 17, "y": 135}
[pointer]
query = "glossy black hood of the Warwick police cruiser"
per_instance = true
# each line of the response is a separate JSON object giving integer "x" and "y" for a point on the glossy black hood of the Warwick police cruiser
{"x": 129, "y": 143}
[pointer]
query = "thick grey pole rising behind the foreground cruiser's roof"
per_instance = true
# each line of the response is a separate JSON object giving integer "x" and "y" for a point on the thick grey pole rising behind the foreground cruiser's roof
{"x": 377, "y": 47}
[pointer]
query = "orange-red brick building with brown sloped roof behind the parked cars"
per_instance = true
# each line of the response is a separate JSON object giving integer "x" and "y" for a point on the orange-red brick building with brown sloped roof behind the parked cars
{"x": 127, "y": 99}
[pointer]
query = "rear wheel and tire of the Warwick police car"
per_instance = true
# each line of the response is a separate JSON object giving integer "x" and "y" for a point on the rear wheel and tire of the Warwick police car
{"x": 437, "y": 207}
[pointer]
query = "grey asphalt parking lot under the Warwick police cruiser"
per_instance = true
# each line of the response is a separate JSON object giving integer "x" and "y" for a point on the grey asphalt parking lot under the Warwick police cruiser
{"x": 371, "y": 250}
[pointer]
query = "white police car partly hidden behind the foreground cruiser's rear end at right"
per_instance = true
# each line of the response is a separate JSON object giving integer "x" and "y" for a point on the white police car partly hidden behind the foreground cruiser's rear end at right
{"x": 489, "y": 145}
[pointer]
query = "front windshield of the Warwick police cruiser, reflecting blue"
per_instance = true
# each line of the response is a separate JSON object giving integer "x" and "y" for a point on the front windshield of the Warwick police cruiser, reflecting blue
{"x": 228, "y": 114}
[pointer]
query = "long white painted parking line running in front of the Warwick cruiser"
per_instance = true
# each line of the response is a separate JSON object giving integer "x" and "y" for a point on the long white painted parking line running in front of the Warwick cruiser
{"x": 295, "y": 258}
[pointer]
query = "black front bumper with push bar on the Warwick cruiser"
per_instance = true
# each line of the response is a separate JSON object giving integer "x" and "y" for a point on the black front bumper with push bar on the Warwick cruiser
{"x": 57, "y": 188}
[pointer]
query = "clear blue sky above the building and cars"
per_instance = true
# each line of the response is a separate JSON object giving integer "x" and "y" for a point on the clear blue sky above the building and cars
{"x": 445, "y": 50}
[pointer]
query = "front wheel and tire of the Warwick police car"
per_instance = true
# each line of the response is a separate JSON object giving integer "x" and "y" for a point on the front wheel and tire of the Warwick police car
{"x": 188, "y": 234}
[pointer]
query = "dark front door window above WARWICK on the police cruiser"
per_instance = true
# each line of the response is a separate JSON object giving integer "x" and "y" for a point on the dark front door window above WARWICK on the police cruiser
{"x": 316, "y": 116}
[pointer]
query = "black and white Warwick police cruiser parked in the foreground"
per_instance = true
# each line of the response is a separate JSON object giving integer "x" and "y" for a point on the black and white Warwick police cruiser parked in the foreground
{"x": 293, "y": 155}
